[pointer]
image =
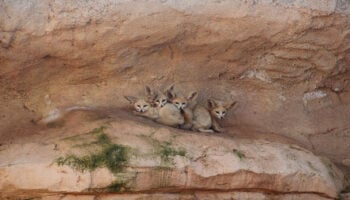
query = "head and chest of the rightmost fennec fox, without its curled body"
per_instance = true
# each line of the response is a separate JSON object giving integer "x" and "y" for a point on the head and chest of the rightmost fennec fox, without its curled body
{"x": 218, "y": 111}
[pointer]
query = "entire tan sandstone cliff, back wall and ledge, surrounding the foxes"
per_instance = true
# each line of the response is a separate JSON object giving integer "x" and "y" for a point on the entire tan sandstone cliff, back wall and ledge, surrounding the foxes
{"x": 285, "y": 61}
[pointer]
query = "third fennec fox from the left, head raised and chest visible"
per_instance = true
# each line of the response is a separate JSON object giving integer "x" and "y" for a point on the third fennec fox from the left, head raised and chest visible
{"x": 185, "y": 105}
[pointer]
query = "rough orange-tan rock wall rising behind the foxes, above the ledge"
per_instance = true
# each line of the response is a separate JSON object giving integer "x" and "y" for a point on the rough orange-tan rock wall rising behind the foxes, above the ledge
{"x": 286, "y": 63}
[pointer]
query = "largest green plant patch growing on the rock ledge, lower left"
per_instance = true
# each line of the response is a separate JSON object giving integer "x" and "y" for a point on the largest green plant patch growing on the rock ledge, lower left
{"x": 112, "y": 156}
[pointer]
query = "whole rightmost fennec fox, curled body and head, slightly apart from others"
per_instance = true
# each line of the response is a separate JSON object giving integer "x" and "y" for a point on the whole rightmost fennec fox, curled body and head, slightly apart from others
{"x": 205, "y": 120}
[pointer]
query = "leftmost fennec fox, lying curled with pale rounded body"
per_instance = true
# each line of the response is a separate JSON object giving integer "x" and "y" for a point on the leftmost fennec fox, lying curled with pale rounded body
{"x": 163, "y": 113}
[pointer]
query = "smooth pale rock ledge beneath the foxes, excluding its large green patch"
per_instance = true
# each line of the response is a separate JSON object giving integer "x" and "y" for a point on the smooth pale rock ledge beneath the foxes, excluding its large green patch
{"x": 165, "y": 160}
